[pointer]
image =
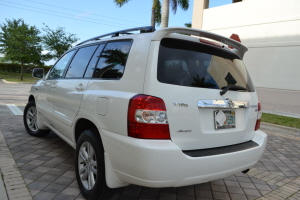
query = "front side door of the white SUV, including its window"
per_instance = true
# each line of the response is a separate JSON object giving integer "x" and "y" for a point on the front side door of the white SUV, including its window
{"x": 47, "y": 88}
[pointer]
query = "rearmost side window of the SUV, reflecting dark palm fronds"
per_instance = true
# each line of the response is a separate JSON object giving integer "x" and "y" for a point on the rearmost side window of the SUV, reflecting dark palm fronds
{"x": 112, "y": 60}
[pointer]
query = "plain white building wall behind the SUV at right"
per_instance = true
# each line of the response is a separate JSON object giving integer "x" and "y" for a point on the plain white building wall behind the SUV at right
{"x": 271, "y": 31}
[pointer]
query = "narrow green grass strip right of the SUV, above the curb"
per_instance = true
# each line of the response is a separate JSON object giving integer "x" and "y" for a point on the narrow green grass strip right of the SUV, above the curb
{"x": 281, "y": 120}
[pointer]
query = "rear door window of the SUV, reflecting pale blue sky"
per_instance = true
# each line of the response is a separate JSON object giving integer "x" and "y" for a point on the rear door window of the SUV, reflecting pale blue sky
{"x": 80, "y": 62}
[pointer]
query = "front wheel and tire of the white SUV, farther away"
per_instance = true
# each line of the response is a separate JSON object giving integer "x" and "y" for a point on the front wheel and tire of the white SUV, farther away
{"x": 30, "y": 119}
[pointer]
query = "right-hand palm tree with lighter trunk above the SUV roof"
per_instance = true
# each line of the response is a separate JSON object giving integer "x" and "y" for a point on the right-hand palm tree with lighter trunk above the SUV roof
{"x": 184, "y": 4}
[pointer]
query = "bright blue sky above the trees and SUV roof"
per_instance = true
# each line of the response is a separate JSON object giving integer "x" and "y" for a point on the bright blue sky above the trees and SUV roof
{"x": 90, "y": 18}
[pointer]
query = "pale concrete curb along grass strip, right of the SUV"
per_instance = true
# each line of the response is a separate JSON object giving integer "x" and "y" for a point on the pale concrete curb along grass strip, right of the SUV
{"x": 281, "y": 130}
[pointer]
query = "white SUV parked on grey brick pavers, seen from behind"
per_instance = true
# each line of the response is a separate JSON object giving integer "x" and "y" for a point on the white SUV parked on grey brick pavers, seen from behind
{"x": 157, "y": 109}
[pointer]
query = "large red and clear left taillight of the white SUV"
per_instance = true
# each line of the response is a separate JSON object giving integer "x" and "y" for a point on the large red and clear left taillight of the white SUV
{"x": 147, "y": 118}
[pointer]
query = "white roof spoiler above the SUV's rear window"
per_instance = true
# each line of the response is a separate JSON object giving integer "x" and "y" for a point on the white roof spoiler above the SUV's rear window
{"x": 239, "y": 48}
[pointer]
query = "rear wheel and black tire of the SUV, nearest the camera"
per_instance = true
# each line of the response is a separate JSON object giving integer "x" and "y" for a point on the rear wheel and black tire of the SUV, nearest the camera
{"x": 90, "y": 166}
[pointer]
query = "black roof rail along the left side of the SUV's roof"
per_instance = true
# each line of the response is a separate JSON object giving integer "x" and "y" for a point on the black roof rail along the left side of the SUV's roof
{"x": 143, "y": 29}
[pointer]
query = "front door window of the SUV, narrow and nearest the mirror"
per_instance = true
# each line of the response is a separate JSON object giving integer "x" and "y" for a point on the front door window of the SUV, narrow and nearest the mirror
{"x": 59, "y": 68}
